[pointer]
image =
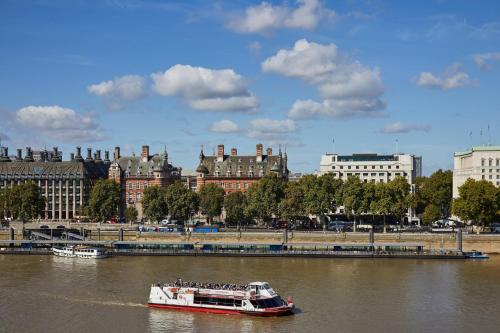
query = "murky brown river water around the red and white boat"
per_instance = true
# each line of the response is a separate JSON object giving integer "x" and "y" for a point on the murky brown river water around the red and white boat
{"x": 52, "y": 294}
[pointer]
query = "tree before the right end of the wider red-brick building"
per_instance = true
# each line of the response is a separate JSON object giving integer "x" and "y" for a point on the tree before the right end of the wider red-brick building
{"x": 264, "y": 197}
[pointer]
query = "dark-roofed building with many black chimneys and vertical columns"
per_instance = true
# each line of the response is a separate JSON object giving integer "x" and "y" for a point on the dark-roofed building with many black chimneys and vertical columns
{"x": 65, "y": 185}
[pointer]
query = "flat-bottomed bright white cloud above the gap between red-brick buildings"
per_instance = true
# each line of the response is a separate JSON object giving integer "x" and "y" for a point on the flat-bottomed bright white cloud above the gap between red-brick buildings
{"x": 205, "y": 89}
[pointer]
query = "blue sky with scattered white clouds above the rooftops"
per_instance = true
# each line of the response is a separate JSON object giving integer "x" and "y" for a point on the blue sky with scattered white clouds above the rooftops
{"x": 309, "y": 76}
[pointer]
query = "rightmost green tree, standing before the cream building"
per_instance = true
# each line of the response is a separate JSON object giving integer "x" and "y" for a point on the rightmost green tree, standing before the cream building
{"x": 478, "y": 201}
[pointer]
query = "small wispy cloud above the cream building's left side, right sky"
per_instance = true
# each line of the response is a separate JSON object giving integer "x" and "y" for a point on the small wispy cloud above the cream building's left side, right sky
{"x": 451, "y": 78}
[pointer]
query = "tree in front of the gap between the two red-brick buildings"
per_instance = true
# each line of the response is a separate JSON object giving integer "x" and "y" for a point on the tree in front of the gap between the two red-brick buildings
{"x": 181, "y": 201}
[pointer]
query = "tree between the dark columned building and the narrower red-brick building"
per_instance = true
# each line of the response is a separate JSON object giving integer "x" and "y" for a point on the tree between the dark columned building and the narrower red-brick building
{"x": 104, "y": 201}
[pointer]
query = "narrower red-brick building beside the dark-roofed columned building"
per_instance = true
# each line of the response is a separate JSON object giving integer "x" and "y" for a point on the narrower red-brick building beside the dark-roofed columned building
{"x": 136, "y": 173}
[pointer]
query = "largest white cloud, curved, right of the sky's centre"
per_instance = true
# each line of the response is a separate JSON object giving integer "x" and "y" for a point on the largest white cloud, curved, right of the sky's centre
{"x": 348, "y": 87}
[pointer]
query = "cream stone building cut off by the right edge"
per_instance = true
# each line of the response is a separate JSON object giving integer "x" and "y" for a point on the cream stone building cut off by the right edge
{"x": 479, "y": 163}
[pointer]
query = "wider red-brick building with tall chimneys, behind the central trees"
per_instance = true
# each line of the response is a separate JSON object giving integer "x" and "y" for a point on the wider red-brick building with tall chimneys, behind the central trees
{"x": 236, "y": 173}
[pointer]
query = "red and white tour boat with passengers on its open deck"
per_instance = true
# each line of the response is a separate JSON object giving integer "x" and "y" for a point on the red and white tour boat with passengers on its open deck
{"x": 256, "y": 298}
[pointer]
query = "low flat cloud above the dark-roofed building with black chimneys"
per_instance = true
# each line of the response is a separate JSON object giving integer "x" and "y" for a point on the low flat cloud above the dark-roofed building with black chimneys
{"x": 59, "y": 123}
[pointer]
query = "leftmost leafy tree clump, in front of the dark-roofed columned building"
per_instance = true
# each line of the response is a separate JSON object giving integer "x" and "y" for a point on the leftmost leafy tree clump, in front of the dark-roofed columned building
{"x": 24, "y": 201}
